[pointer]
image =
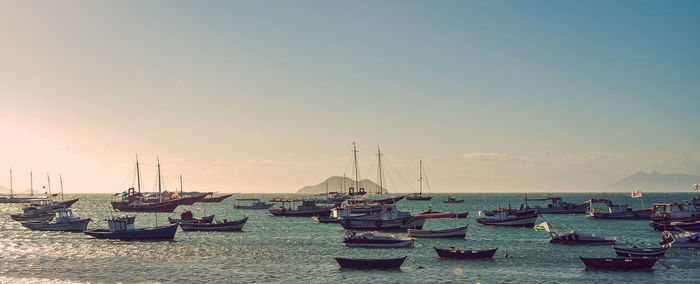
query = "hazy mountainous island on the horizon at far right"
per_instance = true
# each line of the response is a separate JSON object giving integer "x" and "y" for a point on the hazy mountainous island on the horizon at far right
{"x": 656, "y": 181}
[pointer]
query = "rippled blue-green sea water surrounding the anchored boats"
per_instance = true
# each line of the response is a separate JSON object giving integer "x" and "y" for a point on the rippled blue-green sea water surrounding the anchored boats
{"x": 295, "y": 250}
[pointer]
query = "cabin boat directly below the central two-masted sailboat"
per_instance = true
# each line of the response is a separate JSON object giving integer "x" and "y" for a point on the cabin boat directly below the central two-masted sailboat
{"x": 390, "y": 218}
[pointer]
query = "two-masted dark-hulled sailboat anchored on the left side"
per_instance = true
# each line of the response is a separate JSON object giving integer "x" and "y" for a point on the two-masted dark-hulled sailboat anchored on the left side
{"x": 133, "y": 201}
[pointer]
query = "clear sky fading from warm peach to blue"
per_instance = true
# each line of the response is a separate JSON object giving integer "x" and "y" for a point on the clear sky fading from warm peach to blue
{"x": 269, "y": 96}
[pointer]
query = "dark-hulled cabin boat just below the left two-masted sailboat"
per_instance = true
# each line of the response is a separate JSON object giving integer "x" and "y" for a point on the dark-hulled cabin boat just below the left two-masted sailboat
{"x": 122, "y": 228}
